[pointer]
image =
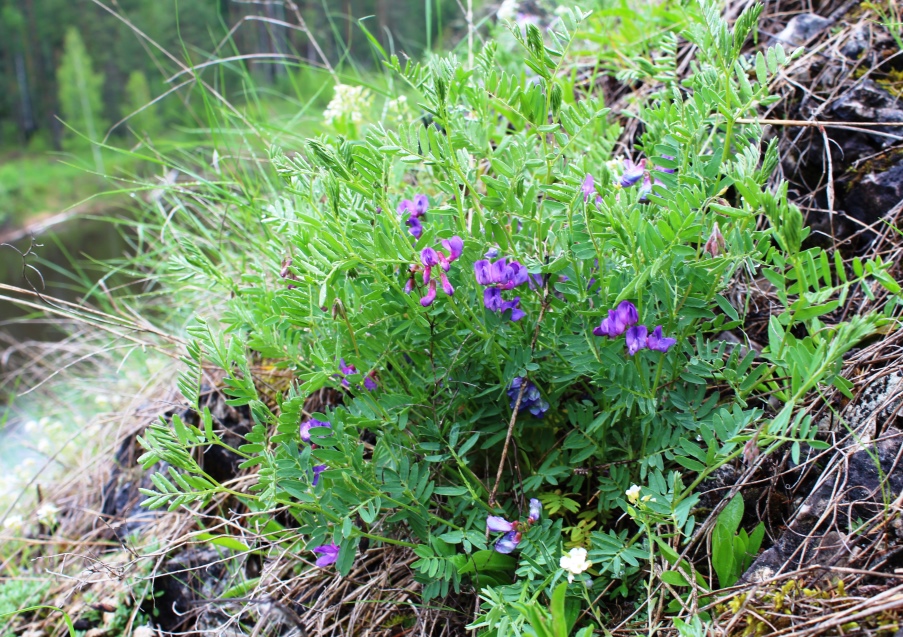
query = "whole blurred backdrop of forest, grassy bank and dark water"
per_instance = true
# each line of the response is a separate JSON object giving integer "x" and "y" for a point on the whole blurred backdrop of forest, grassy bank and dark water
{"x": 90, "y": 90}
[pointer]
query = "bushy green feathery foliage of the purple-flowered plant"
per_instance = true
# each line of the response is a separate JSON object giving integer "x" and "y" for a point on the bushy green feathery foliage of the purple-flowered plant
{"x": 331, "y": 287}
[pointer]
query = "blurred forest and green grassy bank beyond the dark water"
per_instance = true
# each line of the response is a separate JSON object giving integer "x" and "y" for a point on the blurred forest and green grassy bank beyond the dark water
{"x": 72, "y": 70}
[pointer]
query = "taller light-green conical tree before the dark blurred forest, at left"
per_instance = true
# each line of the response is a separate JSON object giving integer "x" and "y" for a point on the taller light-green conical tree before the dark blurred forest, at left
{"x": 81, "y": 102}
